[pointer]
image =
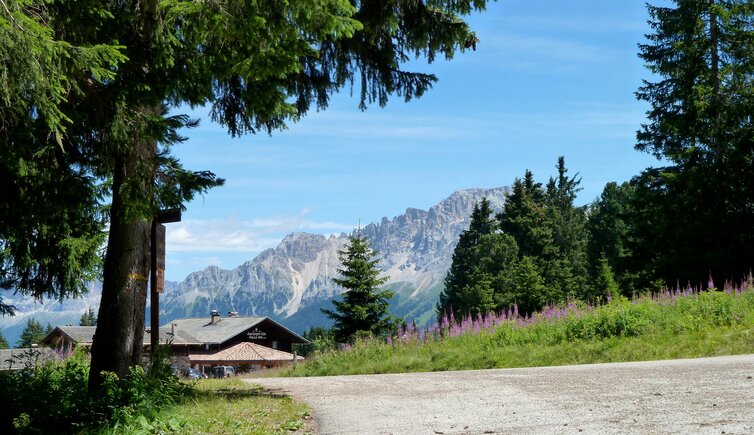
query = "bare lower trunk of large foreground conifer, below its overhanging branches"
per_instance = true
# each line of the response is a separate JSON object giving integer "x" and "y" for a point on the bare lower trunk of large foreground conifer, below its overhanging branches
{"x": 119, "y": 336}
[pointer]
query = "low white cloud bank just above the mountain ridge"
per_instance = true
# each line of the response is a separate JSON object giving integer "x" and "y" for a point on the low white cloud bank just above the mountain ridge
{"x": 237, "y": 235}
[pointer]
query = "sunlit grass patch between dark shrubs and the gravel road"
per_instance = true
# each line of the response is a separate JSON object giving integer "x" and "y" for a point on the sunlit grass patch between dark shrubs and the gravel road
{"x": 228, "y": 406}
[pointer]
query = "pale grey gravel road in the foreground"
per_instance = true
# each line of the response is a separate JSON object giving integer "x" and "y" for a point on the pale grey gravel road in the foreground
{"x": 708, "y": 395}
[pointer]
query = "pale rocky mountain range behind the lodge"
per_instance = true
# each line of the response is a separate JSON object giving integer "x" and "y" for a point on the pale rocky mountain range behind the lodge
{"x": 292, "y": 281}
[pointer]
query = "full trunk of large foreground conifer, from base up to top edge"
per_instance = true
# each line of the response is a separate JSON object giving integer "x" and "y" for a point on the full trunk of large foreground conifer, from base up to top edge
{"x": 119, "y": 337}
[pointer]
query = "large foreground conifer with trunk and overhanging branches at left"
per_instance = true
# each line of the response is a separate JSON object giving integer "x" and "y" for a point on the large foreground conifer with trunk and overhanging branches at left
{"x": 258, "y": 65}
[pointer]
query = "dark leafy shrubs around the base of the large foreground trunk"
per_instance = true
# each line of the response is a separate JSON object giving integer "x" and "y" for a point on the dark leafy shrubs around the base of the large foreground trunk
{"x": 52, "y": 397}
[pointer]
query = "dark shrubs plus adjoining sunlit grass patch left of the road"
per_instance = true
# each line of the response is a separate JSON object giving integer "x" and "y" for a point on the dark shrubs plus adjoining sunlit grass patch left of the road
{"x": 51, "y": 397}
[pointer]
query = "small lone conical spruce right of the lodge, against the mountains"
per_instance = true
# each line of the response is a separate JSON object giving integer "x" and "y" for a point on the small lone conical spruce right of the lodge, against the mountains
{"x": 364, "y": 308}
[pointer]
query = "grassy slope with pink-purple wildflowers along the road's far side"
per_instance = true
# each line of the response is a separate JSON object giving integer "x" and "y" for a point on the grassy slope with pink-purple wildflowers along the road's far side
{"x": 663, "y": 327}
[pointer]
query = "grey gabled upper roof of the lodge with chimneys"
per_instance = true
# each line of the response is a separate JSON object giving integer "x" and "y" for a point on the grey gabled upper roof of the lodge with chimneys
{"x": 223, "y": 329}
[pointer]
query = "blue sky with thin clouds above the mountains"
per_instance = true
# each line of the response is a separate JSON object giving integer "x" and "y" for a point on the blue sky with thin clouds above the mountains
{"x": 548, "y": 78}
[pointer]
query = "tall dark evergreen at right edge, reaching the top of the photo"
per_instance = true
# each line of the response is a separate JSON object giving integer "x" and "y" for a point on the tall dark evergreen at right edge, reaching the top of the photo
{"x": 694, "y": 215}
